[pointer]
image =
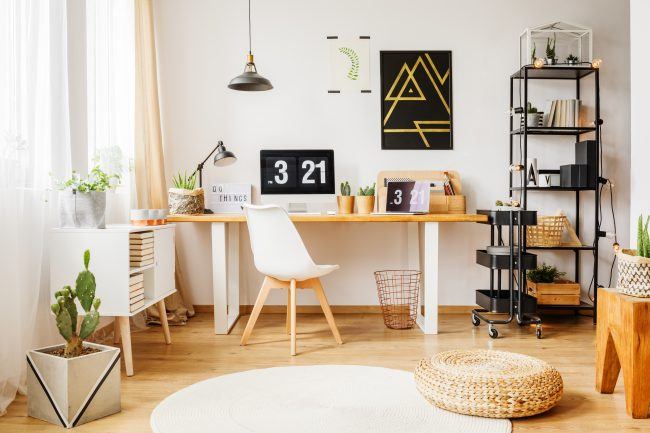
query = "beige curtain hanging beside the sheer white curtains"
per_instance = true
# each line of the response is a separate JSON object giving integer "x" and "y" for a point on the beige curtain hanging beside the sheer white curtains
{"x": 149, "y": 159}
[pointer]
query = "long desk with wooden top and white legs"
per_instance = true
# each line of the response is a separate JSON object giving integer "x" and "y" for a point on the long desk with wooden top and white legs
{"x": 421, "y": 255}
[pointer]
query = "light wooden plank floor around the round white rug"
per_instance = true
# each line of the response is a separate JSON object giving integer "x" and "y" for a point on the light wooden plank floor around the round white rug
{"x": 197, "y": 354}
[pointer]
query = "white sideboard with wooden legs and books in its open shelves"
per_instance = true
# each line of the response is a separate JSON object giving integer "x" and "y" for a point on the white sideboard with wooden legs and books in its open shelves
{"x": 109, "y": 262}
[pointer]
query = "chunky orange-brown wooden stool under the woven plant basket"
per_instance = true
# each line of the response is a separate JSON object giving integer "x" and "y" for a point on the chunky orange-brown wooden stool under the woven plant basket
{"x": 623, "y": 340}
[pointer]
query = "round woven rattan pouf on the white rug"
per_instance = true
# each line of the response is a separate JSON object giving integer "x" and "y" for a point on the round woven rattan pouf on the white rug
{"x": 489, "y": 383}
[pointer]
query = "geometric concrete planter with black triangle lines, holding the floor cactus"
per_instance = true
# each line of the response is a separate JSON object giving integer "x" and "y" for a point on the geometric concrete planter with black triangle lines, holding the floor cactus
{"x": 73, "y": 391}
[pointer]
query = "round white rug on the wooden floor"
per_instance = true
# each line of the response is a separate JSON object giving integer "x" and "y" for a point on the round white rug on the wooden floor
{"x": 313, "y": 399}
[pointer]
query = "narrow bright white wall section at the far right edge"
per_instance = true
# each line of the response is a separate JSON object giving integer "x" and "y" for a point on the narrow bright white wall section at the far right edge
{"x": 640, "y": 95}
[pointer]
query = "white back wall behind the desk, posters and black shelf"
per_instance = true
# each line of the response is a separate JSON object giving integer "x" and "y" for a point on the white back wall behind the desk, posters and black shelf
{"x": 202, "y": 45}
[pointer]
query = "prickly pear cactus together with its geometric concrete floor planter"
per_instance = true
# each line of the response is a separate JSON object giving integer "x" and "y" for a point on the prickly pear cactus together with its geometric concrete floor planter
{"x": 77, "y": 382}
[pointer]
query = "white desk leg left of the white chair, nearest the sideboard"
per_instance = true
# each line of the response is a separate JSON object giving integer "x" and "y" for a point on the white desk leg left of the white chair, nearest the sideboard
{"x": 225, "y": 275}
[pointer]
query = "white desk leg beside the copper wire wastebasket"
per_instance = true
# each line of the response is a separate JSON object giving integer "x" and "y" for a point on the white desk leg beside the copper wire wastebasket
{"x": 430, "y": 272}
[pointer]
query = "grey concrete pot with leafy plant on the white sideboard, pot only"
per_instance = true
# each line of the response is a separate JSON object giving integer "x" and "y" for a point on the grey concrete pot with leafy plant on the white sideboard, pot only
{"x": 82, "y": 209}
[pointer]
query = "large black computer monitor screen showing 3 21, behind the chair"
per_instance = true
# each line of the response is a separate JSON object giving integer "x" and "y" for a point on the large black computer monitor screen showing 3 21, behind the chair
{"x": 297, "y": 171}
